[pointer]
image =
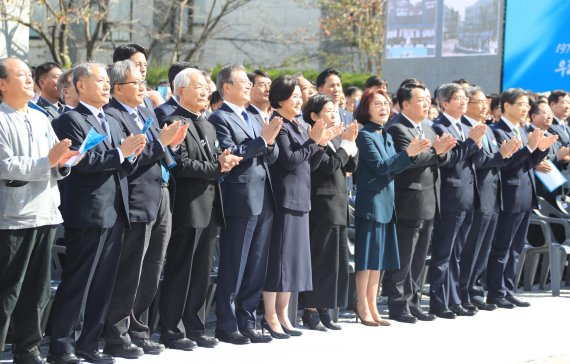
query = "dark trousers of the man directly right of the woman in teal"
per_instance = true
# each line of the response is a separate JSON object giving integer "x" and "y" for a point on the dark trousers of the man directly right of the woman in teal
{"x": 402, "y": 287}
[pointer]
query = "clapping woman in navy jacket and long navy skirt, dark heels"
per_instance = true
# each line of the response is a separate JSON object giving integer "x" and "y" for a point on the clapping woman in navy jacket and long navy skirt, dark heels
{"x": 300, "y": 152}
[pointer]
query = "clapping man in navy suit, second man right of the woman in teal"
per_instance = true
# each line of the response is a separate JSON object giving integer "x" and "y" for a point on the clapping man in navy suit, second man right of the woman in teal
{"x": 459, "y": 196}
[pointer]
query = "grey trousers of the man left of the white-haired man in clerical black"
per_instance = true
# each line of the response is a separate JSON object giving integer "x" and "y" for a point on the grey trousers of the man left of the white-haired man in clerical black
{"x": 138, "y": 275}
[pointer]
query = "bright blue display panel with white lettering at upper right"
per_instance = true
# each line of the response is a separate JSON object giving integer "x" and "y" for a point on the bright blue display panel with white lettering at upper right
{"x": 537, "y": 45}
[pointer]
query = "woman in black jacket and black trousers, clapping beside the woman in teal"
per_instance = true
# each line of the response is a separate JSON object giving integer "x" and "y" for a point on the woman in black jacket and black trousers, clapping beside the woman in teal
{"x": 328, "y": 219}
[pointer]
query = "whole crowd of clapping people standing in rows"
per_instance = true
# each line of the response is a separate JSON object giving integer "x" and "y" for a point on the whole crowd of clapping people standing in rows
{"x": 268, "y": 164}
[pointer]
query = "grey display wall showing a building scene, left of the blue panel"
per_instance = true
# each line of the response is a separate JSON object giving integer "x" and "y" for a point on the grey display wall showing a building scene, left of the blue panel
{"x": 439, "y": 41}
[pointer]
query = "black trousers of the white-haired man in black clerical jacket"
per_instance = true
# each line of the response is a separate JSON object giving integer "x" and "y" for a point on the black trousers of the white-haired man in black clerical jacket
{"x": 186, "y": 279}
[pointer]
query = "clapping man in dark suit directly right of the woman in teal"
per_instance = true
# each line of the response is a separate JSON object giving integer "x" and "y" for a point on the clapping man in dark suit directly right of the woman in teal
{"x": 416, "y": 200}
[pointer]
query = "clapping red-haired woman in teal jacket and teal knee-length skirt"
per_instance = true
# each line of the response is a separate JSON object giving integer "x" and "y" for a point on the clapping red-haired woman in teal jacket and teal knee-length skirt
{"x": 376, "y": 245}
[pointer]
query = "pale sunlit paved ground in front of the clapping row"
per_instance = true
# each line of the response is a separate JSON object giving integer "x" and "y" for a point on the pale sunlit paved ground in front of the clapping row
{"x": 538, "y": 334}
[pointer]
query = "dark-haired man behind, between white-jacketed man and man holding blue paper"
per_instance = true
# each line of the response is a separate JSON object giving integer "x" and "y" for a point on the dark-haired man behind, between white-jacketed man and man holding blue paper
{"x": 46, "y": 75}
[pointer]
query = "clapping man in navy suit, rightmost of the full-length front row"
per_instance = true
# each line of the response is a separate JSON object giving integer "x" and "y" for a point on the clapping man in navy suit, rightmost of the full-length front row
{"x": 519, "y": 197}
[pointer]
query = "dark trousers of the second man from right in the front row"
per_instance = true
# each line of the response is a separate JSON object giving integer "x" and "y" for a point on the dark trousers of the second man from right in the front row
{"x": 473, "y": 262}
